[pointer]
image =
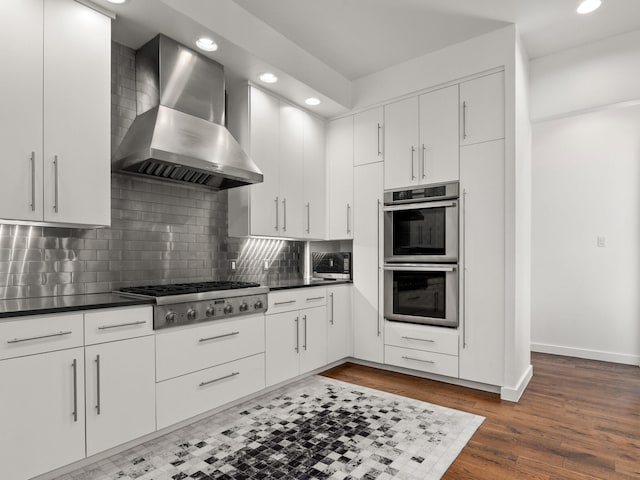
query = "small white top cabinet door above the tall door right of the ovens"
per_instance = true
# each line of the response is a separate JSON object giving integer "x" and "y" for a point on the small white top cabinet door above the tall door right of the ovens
{"x": 482, "y": 109}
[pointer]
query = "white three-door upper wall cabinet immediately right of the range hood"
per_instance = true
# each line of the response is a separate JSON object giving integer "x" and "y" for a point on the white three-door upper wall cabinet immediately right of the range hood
{"x": 287, "y": 144}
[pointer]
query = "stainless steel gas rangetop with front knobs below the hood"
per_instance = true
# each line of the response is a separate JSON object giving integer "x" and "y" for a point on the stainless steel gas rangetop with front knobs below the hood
{"x": 187, "y": 303}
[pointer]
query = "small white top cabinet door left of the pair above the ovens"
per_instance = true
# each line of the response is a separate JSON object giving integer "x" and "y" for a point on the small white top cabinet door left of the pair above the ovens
{"x": 368, "y": 136}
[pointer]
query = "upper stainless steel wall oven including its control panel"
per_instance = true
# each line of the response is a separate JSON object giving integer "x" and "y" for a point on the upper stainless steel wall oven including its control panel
{"x": 421, "y": 224}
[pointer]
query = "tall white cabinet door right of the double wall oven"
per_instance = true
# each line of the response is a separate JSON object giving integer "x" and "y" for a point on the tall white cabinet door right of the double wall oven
{"x": 482, "y": 305}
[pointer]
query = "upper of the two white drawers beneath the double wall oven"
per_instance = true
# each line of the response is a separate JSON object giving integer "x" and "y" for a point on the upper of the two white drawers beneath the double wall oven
{"x": 421, "y": 337}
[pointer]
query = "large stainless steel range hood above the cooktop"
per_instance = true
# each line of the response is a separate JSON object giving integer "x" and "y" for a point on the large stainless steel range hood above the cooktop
{"x": 178, "y": 135}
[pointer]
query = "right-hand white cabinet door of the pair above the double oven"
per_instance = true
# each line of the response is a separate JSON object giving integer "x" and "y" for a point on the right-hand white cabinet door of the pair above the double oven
{"x": 439, "y": 144}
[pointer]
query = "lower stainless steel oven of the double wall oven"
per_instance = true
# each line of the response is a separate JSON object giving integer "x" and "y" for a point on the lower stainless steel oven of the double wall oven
{"x": 421, "y": 293}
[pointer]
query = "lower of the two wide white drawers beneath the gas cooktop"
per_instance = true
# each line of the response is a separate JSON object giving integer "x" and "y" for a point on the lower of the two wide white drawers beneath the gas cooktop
{"x": 184, "y": 397}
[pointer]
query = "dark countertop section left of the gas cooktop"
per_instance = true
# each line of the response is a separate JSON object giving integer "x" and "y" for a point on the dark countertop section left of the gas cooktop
{"x": 65, "y": 303}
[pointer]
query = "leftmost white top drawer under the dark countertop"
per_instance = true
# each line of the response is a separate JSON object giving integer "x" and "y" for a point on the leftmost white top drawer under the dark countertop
{"x": 30, "y": 335}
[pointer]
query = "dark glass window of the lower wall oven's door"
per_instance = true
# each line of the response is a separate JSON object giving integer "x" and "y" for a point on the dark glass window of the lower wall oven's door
{"x": 420, "y": 294}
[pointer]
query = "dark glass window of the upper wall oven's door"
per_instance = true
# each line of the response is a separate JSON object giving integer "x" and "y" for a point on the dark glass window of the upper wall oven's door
{"x": 419, "y": 231}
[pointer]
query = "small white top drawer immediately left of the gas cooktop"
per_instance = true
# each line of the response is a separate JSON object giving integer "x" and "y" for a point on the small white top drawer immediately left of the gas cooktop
{"x": 118, "y": 324}
